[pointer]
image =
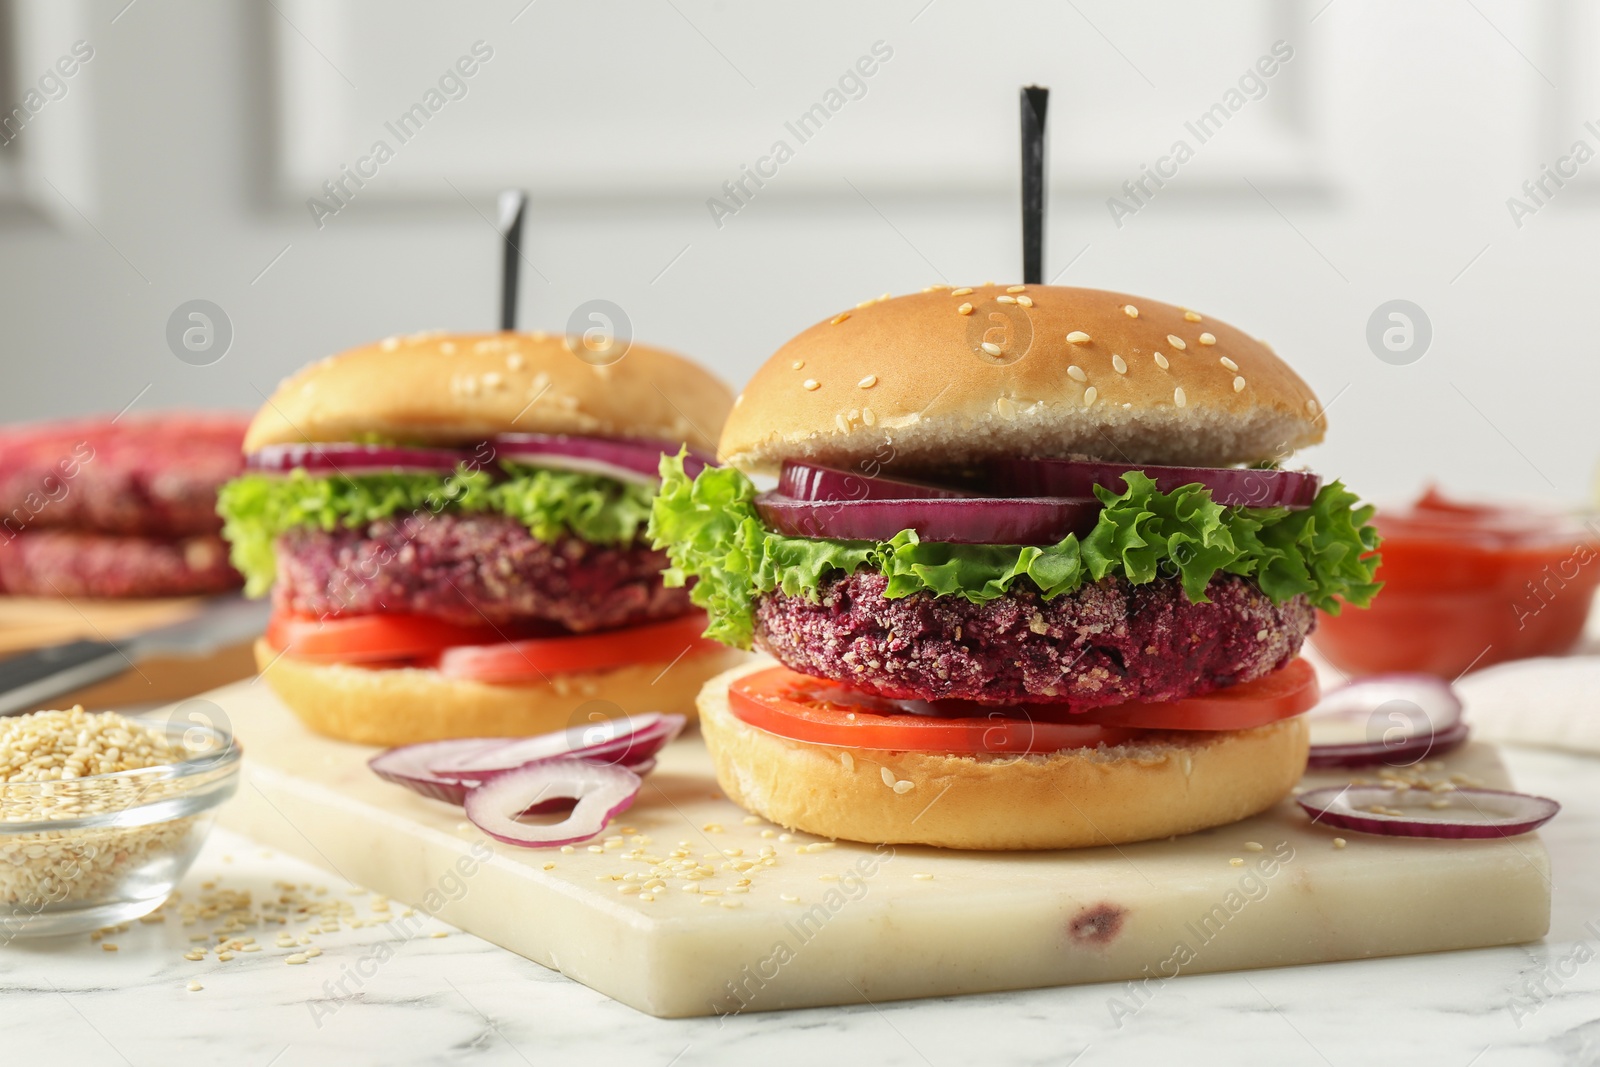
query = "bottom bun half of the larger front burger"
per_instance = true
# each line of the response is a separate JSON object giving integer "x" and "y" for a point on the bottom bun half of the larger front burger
{"x": 1174, "y": 783}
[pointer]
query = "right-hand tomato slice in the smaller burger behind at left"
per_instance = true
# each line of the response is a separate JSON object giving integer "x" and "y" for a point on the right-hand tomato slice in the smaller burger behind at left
{"x": 535, "y": 660}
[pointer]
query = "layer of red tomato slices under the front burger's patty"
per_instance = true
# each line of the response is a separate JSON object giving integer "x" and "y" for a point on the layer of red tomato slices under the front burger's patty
{"x": 815, "y": 711}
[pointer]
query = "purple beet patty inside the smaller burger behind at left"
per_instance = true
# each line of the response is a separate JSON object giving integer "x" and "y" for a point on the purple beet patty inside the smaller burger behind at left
{"x": 473, "y": 569}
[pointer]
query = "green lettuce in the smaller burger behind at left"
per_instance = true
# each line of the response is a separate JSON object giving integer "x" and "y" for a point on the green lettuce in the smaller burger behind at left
{"x": 551, "y": 503}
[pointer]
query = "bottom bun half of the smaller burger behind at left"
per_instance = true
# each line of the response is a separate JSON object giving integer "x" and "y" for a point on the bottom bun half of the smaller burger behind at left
{"x": 410, "y": 705}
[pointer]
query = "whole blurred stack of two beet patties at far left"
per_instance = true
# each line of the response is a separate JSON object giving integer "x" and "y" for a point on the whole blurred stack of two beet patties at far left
{"x": 118, "y": 508}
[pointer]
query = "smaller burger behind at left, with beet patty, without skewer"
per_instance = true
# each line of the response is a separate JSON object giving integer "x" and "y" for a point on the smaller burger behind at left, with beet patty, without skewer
{"x": 452, "y": 529}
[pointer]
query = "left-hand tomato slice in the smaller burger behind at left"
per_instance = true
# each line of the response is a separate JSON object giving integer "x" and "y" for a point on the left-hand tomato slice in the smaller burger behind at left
{"x": 370, "y": 637}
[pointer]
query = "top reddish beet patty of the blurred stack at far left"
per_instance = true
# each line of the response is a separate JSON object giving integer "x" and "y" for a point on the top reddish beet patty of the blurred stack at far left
{"x": 153, "y": 474}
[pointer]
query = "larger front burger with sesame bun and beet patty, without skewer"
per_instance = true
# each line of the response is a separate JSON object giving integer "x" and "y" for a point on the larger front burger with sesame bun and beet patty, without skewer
{"x": 1033, "y": 573}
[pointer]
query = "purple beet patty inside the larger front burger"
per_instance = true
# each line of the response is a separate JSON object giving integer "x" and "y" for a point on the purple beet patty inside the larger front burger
{"x": 1106, "y": 644}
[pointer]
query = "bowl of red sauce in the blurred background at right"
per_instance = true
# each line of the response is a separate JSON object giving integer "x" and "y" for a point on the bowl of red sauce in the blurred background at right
{"x": 1470, "y": 585}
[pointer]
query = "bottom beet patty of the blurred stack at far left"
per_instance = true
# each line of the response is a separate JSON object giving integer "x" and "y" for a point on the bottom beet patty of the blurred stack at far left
{"x": 66, "y": 564}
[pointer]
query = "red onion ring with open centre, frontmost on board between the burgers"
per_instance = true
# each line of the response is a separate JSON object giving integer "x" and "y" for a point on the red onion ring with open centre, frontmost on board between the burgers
{"x": 602, "y": 794}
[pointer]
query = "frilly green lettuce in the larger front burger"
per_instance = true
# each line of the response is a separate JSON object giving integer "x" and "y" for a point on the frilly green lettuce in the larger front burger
{"x": 714, "y": 535}
